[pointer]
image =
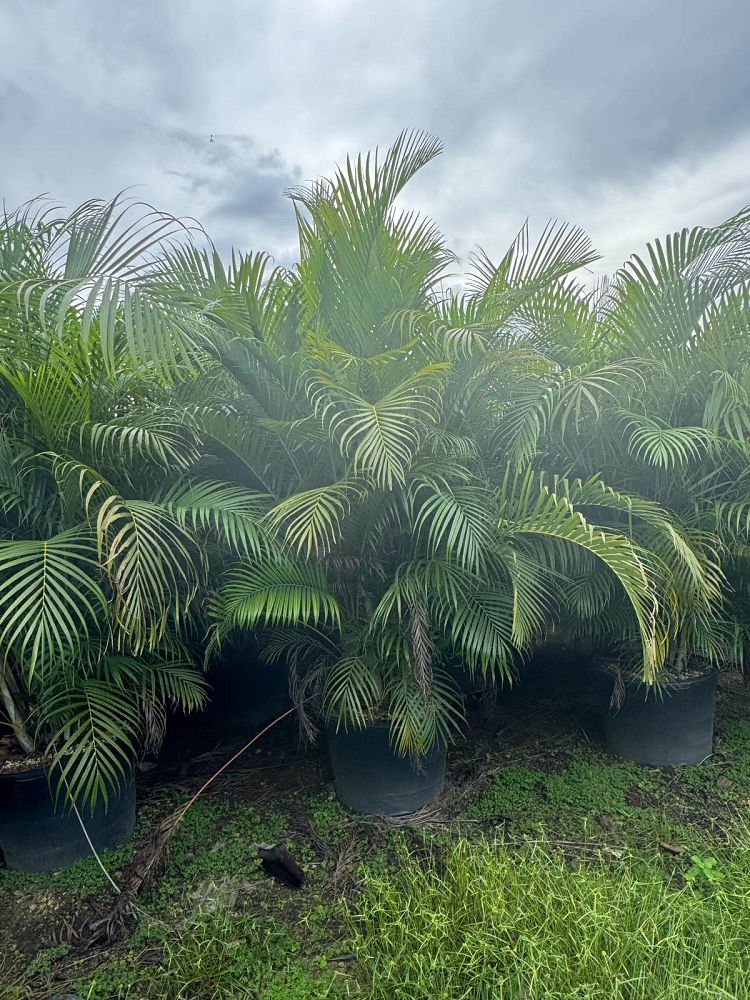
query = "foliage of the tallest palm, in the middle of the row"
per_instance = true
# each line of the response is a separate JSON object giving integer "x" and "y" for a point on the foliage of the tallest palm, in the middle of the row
{"x": 368, "y": 407}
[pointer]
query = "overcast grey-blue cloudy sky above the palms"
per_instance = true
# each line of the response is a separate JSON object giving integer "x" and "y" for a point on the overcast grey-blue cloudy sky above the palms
{"x": 631, "y": 119}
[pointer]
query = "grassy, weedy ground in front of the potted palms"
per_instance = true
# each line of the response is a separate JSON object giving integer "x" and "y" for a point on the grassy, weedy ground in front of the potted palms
{"x": 548, "y": 870}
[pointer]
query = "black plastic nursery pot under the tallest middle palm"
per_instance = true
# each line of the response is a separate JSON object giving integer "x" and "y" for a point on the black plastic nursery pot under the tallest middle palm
{"x": 371, "y": 777}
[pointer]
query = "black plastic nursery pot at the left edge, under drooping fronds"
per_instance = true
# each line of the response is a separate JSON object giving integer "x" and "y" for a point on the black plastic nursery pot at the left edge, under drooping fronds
{"x": 39, "y": 835}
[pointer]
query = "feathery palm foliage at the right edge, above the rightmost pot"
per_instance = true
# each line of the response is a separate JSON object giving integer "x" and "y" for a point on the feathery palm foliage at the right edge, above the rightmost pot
{"x": 649, "y": 389}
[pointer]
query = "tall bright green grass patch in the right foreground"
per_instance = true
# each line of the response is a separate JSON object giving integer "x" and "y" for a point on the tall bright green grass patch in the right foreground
{"x": 491, "y": 924}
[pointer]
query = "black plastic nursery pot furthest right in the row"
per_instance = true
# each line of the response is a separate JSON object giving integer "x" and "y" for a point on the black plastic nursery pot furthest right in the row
{"x": 674, "y": 726}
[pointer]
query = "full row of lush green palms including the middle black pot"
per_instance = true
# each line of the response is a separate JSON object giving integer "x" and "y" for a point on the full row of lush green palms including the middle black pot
{"x": 380, "y": 473}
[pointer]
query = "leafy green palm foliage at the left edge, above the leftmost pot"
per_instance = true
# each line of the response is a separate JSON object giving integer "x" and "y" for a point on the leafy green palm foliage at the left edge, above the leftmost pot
{"x": 102, "y": 555}
